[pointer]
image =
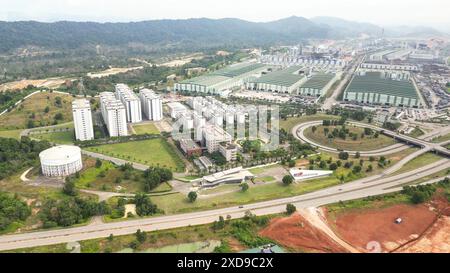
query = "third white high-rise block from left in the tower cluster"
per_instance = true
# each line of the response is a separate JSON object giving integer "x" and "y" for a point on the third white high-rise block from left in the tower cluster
{"x": 131, "y": 102}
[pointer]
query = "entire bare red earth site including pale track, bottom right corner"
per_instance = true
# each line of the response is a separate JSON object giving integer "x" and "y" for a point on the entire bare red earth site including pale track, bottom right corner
{"x": 425, "y": 228}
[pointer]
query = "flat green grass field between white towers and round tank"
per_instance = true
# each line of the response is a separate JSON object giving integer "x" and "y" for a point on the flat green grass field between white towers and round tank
{"x": 156, "y": 152}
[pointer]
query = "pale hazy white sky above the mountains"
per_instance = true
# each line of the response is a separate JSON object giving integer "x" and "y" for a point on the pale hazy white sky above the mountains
{"x": 382, "y": 12}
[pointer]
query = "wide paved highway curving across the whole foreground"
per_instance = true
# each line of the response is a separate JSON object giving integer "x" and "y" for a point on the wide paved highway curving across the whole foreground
{"x": 352, "y": 190}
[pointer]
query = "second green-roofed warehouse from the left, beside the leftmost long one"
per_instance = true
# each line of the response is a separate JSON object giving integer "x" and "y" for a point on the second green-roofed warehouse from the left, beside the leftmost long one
{"x": 280, "y": 81}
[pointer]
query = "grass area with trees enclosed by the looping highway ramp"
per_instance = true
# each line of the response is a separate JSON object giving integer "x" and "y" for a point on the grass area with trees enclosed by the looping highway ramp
{"x": 367, "y": 143}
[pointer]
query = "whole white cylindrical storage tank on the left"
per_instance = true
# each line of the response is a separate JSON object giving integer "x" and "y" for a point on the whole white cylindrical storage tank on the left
{"x": 61, "y": 160}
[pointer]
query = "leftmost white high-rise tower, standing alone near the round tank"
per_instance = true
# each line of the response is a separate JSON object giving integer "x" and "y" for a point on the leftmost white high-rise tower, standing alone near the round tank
{"x": 82, "y": 120}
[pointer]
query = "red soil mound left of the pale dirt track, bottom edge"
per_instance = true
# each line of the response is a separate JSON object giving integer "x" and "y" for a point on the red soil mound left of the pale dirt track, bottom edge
{"x": 296, "y": 233}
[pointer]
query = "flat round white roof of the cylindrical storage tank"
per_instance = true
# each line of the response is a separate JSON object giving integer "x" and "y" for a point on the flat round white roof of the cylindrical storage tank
{"x": 60, "y": 155}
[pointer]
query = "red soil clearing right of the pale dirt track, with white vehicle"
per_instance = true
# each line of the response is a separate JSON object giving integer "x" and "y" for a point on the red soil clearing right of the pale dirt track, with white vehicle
{"x": 378, "y": 225}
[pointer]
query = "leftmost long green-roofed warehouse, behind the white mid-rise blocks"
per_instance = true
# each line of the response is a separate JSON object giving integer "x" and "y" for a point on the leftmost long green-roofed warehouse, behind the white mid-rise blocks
{"x": 222, "y": 79}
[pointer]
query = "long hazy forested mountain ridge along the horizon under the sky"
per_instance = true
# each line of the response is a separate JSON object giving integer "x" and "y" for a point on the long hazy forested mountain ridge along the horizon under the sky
{"x": 189, "y": 33}
